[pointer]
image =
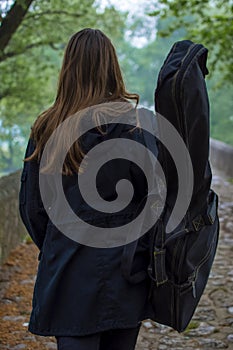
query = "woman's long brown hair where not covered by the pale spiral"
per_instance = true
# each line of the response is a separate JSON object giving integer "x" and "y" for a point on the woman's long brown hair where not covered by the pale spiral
{"x": 90, "y": 75}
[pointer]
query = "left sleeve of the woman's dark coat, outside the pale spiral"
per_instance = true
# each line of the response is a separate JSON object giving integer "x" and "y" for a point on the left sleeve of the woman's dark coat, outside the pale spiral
{"x": 31, "y": 208}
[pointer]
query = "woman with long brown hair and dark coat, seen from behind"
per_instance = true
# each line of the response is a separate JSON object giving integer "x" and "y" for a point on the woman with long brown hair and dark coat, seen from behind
{"x": 80, "y": 288}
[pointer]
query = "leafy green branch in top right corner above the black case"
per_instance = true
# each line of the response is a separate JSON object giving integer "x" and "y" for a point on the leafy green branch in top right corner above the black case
{"x": 208, "y": 21}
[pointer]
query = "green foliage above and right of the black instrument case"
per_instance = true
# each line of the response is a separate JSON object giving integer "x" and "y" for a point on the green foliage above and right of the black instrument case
{"x": 211, "y": 23}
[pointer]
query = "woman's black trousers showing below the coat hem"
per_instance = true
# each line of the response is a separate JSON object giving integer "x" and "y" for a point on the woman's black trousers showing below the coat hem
{"x": 117, "y": 339}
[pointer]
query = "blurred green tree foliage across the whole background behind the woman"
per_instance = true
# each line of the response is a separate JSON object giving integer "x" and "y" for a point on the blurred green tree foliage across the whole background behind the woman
{"x": 31, "y": 61}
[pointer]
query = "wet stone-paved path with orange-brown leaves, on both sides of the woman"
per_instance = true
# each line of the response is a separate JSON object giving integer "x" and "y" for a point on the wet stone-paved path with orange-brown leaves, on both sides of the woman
{"x": 210, "y": 328}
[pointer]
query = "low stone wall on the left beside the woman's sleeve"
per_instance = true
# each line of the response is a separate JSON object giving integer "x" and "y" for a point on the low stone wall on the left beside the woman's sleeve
{"x": 12, "y": 230}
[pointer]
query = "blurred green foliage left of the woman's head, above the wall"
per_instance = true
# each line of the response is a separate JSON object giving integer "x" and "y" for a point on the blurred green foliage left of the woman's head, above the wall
{"x": 31, "y": 62}
